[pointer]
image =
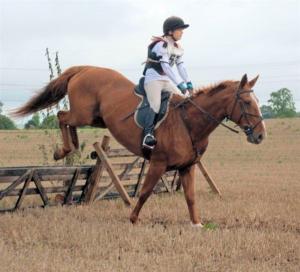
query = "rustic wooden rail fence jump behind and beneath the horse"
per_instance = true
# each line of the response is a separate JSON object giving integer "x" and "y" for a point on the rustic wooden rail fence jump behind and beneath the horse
{"x": 117, "y": 173}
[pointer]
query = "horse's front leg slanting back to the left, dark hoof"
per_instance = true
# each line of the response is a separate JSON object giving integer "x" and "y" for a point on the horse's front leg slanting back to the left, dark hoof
{"x": 156, "y": 170}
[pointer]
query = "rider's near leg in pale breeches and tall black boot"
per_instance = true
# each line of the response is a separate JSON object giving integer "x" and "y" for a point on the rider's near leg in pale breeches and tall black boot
{"x": 153, "y": 92}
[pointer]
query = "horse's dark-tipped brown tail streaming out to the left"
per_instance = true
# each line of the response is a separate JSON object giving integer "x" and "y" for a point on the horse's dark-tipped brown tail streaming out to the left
{"x": 50, "y": 95}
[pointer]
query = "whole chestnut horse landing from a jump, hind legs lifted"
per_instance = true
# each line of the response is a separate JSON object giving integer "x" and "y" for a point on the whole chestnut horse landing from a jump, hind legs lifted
{"x": 103, "y": 98}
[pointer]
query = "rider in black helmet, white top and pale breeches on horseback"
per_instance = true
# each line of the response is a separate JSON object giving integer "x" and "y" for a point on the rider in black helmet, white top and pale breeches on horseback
{"x": 163, "y": 53}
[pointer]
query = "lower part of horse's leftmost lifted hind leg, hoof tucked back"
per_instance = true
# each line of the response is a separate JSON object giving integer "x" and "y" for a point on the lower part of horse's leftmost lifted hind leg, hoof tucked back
{"x": 64, "y": 120}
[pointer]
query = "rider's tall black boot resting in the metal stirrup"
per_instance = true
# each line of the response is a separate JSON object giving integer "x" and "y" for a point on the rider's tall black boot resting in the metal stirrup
{"x": 149, "y": 140}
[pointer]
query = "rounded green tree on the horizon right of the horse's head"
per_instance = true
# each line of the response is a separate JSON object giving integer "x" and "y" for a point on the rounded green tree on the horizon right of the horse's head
{"x": 282, "y": 103}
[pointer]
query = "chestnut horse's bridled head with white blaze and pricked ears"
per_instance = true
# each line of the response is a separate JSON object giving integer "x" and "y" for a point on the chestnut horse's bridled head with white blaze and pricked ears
{"x": 244, "y": 110}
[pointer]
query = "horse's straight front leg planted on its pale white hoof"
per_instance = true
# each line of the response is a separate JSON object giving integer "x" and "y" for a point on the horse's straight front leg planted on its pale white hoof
{"x": 187, "y": 178}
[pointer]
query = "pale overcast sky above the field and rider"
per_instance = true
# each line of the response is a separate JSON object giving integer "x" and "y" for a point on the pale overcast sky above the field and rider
{"x": 226, "y": 39}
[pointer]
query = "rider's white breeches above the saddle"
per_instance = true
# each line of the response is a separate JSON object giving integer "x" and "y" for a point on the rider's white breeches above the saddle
{"x": 153, "y": 90}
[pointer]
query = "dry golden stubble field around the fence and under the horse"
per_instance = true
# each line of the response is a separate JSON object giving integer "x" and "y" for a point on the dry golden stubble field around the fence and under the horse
{"x": 254, "y": 227}
